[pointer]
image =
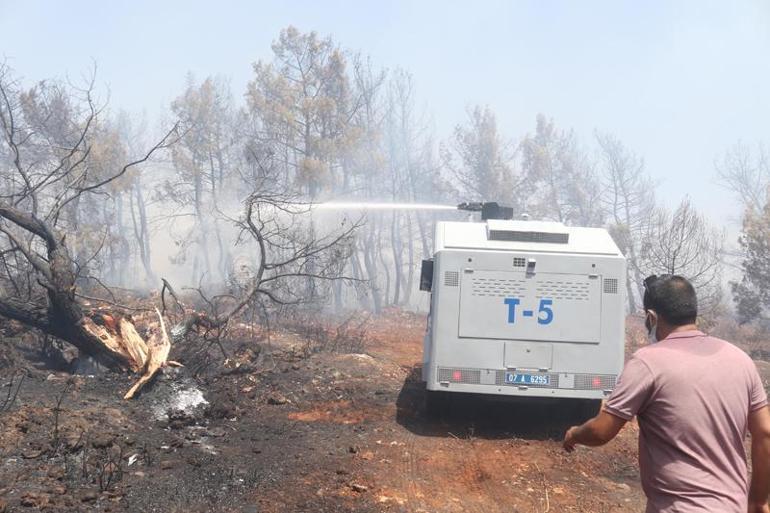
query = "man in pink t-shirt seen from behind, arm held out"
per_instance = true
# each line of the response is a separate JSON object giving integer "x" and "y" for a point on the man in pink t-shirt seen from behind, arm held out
{"x": 695, "y": 398}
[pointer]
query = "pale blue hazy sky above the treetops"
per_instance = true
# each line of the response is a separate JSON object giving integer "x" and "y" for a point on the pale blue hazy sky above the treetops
{"x": 678, "y": 82}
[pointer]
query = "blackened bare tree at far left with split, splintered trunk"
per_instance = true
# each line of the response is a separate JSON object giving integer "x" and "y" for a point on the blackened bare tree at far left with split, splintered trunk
{"x": 47, "y": 169}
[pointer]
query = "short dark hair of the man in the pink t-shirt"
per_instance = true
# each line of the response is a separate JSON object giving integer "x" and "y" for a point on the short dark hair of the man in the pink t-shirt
{"x": 672, "y": 297}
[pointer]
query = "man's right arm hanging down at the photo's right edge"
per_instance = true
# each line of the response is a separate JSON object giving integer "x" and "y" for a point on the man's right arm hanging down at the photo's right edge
{"x": 759, "y": 427}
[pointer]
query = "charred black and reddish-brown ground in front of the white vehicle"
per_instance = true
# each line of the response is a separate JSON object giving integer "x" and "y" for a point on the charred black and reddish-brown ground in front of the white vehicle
{"x": 303, "y": 430}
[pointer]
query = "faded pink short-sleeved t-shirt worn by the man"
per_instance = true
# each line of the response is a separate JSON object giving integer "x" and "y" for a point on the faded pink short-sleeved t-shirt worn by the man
{"x": 692, "y": 395}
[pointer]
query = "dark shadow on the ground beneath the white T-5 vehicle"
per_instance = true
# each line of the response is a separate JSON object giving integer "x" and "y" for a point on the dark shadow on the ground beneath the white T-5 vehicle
{"x": 489, "y": 417}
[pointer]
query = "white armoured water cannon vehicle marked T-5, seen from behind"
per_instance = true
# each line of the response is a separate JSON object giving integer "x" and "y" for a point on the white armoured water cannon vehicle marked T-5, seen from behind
{"x": 523, "y": 308}
